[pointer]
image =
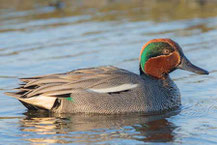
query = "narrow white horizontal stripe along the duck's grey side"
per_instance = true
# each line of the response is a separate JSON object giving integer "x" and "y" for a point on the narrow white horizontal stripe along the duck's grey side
{"x": 119, "y": 88}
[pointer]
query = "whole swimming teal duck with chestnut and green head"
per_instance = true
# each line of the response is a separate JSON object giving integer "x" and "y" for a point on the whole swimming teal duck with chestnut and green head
{"x": 109, "y": 89}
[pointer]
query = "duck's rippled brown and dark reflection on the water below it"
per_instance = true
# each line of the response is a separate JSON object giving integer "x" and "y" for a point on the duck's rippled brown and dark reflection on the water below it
{"x": 42, "y": 127}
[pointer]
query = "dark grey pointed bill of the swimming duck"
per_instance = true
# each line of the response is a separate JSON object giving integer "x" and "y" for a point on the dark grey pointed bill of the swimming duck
{"x": 188, "y": 66}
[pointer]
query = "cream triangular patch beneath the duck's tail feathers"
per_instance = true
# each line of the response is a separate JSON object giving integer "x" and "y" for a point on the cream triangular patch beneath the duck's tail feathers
{"x": 40, "y": 101}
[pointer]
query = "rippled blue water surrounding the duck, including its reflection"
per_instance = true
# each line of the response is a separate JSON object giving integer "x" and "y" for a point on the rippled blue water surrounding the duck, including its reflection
{"x": 39, "y": 37}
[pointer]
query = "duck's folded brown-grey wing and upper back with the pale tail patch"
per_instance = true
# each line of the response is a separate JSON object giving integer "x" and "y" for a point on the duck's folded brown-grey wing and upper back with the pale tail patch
{"x": 42, "y": 91}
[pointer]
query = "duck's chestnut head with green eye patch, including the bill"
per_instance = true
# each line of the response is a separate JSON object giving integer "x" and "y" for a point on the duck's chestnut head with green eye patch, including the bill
{"x": 159, "y": 57}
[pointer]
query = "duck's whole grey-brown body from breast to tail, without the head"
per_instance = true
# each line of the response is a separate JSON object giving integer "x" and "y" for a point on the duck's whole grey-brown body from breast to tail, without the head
{"x": 98, "y": 90}
